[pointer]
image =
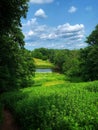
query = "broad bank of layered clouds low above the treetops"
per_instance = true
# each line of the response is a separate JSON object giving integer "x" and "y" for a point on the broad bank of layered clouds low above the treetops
{"x": 61, "y": 36}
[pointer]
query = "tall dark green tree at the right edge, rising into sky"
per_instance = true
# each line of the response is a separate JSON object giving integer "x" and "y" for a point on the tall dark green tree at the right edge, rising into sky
{"x": 89, "y": 57}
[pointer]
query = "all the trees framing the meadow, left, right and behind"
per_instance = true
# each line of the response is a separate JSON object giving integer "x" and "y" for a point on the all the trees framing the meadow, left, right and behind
{"x": 16, "y": 63}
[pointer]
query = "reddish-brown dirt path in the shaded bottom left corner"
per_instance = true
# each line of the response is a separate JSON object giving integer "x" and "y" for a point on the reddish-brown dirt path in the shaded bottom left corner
{"x": 8, "y": 122}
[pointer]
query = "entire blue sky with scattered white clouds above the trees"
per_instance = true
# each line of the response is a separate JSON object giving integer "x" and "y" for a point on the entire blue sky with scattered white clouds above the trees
{"x": 59, "y": 24}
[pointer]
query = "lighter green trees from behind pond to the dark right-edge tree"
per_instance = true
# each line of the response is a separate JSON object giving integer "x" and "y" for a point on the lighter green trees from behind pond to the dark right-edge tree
{"x": 65, "y": 61}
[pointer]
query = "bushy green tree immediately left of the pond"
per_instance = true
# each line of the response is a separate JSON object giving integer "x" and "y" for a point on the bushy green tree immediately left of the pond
{"x": 26, "y": 69}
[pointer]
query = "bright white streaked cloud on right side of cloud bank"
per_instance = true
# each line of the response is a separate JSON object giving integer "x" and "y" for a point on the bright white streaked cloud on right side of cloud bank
{"x": 65, "y": 31}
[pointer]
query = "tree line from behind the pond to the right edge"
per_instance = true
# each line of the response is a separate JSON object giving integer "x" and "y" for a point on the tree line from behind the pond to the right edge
{"x": 79, "y": 65}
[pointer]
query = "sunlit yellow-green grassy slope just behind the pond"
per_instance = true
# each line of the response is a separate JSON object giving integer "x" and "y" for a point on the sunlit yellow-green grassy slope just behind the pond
{"x": 42, "y": 63}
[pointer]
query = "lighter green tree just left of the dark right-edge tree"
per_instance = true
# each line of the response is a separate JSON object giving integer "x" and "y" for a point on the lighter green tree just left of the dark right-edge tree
{"x": 71, "y": 66}
